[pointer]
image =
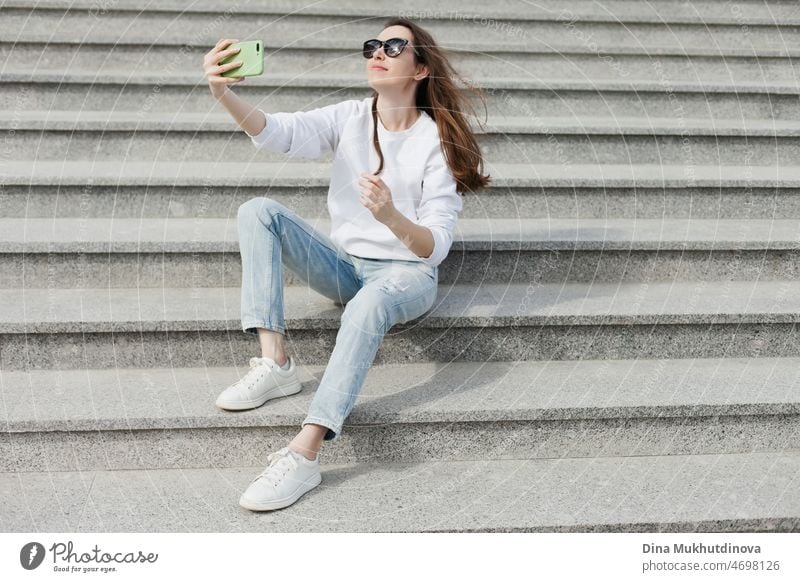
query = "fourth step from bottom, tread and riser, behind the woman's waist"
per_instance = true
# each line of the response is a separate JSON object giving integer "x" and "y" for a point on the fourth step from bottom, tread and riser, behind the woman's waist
{"x": 150, "y": 252}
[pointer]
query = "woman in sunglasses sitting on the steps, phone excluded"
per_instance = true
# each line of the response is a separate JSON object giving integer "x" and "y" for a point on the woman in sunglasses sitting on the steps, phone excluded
{"x": 389, "y": 231}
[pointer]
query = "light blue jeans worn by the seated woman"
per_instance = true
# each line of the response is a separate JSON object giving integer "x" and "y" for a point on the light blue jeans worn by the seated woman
{"x": 375, "y": 293}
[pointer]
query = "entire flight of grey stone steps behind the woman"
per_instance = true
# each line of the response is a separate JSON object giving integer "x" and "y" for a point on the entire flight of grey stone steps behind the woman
{"x": 613, "y": 346}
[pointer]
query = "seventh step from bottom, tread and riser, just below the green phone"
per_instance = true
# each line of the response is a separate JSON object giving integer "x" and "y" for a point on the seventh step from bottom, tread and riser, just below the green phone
{"x": 510, "y": 96}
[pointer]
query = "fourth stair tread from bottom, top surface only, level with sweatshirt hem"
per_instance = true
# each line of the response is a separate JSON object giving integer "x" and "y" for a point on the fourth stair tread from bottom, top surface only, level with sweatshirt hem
{"x": 141, "y": 235}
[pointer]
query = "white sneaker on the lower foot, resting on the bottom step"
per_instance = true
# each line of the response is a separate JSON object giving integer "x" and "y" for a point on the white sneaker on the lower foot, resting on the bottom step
{"x": 284, "y": 481}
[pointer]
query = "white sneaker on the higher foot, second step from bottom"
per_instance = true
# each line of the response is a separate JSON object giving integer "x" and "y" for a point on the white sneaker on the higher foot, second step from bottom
{"x": 265, "y": 380}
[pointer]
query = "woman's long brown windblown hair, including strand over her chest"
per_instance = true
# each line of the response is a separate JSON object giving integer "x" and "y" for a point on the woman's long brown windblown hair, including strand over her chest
{"x": 439, "y": 97}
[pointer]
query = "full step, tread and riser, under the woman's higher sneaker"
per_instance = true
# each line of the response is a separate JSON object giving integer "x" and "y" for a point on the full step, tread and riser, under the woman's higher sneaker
{"x": 151, "y": 418}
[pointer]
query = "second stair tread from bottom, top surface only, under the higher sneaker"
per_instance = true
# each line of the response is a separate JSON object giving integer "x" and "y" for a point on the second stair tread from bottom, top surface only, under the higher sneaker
{"x": 183, "y": 397}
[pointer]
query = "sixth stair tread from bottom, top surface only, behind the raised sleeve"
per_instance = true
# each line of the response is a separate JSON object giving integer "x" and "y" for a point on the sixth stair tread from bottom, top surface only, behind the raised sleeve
{"x": 107, "y": 121}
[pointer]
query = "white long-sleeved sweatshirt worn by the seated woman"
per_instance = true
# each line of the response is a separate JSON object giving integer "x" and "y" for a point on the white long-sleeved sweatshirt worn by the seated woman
{"x": 422, "y": 185}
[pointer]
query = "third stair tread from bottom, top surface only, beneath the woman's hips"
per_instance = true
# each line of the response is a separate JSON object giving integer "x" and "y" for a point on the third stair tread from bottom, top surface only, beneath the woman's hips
{"x": 459, "y": 305}
